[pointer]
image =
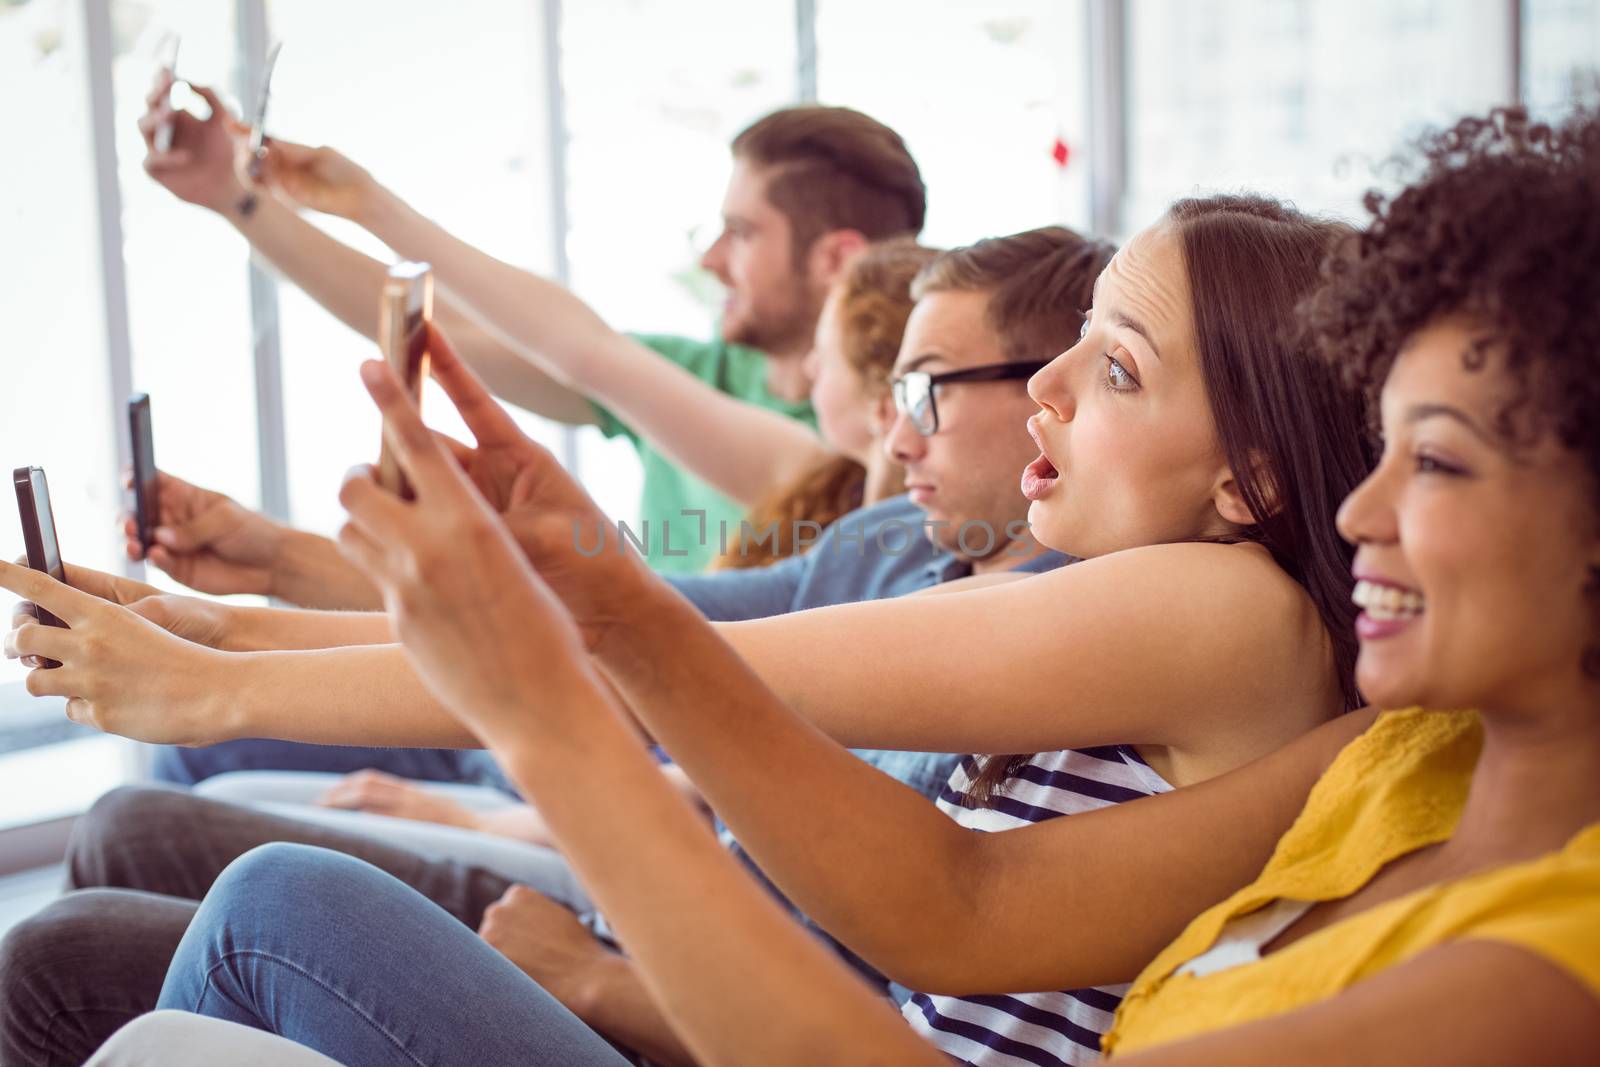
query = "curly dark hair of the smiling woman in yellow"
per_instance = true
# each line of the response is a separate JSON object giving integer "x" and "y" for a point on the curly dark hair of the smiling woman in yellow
{"x": 1502, "y": 225}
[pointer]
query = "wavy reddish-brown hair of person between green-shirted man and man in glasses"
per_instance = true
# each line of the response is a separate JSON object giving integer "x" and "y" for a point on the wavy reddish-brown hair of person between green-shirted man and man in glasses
{"x": 874, "y": 303}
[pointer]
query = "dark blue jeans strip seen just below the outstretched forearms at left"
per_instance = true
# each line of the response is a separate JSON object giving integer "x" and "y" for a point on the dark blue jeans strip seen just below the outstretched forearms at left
{"x": 186, "y": 767}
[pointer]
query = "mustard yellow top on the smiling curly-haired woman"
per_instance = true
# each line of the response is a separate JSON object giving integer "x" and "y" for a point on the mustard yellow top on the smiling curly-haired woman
{"x": 1398, "y": 788}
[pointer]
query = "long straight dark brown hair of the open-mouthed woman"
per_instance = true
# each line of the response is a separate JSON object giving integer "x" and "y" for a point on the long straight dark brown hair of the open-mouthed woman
{"x": 1290, "y": 430}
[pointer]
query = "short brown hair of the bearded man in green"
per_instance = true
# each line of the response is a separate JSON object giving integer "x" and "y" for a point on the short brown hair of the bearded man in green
{"x": 833, "y": 169}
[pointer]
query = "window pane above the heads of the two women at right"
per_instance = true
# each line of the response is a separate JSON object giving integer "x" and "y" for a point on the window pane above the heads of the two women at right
{"x": 1298, "y": 98}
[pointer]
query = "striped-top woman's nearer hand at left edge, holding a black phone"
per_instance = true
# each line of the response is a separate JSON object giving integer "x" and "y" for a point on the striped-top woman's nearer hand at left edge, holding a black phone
{"x": 121, "y": 673}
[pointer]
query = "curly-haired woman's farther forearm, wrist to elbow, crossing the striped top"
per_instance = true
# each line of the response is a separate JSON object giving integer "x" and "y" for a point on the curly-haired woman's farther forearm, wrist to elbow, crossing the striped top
{"x": 889, "y": 885}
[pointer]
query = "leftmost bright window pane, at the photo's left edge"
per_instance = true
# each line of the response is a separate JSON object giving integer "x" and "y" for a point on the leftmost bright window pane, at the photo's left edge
{"x": 57, "y": 409}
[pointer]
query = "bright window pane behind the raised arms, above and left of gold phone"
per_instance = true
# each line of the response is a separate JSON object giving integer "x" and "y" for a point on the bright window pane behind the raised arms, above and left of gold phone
{"x": 441, "y": 102}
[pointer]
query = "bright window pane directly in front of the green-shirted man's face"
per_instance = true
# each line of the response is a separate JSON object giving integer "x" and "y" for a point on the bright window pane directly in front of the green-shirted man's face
{"x": 654, "y": 92}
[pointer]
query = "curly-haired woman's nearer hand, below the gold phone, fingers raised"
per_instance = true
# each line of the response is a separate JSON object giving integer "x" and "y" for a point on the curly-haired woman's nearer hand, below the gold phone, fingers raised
{"x": 481, "y": 628}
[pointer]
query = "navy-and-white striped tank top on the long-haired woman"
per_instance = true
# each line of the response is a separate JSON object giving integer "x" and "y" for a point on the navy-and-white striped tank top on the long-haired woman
{"x": 1034, "y": 1029}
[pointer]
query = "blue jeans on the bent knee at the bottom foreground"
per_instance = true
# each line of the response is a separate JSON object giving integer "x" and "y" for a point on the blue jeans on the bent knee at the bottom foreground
{"x": 348, "y": 961}
